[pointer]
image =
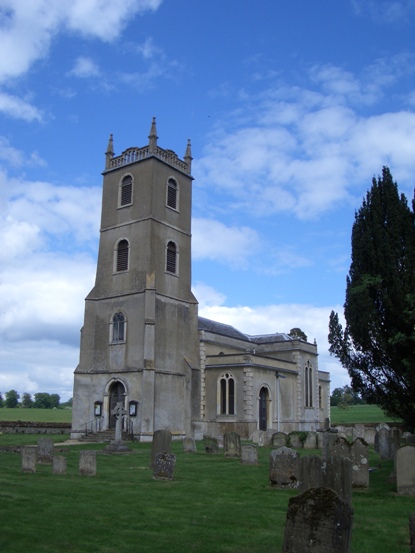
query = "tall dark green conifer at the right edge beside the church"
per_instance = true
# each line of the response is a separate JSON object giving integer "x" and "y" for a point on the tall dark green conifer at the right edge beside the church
{"x": 377, "y": 346}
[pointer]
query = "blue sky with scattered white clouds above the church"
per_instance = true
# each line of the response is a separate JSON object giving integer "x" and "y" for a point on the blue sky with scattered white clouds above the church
{"x": 291, "y": 108}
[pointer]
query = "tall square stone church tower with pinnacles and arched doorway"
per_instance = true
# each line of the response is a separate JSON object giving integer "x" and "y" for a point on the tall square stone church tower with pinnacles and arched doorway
{"x": 139, "y": 342}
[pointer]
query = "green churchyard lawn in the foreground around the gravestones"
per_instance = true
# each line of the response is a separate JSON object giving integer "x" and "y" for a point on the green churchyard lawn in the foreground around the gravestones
{"x": 213, "y": 505}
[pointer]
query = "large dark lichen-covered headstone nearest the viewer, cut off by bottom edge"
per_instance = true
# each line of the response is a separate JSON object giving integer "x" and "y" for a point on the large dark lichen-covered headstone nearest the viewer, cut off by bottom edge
{"x": 318, "y": 521}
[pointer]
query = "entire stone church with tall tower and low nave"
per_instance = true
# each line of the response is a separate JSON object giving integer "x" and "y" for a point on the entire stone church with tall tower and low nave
{"x": 143, "y": 345}
